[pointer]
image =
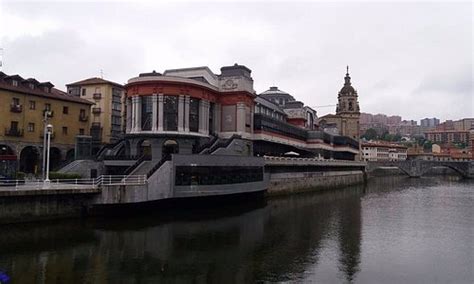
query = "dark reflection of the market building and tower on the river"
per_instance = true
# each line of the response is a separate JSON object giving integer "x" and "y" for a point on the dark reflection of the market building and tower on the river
{"x": 282, "y": 241}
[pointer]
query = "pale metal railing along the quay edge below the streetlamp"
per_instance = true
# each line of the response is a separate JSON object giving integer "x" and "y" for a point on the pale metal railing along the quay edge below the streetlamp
{"x": 84, "y": 183}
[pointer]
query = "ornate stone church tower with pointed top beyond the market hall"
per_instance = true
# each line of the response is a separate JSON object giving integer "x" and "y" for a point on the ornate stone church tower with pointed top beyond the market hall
{"x": 348, "y": 109}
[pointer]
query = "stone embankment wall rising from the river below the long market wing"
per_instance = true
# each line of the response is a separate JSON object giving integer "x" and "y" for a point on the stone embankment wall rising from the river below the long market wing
{"x": 296, "y": 182}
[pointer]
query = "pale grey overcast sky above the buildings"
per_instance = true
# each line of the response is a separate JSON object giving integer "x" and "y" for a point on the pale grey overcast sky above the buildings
{"x": 414, "y": 59}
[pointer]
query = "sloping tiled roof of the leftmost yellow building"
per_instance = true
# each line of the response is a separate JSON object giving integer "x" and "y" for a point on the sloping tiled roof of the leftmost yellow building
{"x": 55, "y": 94}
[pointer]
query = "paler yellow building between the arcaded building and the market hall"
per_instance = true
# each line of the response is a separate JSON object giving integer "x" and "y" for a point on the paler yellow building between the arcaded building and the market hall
{"x": 107, "y": 111}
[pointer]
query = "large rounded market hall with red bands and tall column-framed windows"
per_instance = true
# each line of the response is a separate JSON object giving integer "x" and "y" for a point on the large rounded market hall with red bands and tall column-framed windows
{"x": 194, "y": 111}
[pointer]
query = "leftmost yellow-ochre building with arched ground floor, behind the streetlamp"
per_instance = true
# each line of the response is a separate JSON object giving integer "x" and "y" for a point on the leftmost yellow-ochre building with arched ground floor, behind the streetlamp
{"x": 23, "y": 103}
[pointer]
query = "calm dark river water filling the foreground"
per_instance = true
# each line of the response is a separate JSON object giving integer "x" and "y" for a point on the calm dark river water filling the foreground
{"x": 392, "y": 231}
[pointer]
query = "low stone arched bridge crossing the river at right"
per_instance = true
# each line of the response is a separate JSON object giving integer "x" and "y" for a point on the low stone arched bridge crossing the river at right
{"x": 417, "y": 168}
